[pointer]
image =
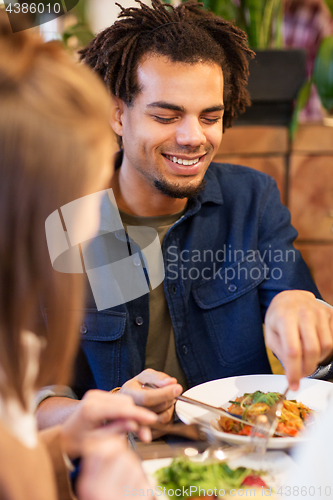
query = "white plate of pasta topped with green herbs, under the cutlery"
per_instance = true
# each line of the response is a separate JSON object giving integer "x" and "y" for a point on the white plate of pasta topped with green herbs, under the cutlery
{"x": 249, "y": 395}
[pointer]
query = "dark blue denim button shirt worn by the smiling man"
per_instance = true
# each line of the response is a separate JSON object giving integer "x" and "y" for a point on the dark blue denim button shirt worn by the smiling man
{"x": 225, "y": 259}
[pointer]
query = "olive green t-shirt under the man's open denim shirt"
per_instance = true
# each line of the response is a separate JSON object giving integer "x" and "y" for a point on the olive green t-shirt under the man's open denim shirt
{"x": 160, "y": 350}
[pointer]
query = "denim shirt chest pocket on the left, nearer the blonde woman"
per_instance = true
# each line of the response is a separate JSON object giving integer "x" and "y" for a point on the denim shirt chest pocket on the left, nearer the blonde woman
{"x": 101, "y": 338}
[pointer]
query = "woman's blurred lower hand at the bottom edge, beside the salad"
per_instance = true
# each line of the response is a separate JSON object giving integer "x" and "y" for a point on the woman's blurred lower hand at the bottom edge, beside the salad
{"x": 110, "y": 471}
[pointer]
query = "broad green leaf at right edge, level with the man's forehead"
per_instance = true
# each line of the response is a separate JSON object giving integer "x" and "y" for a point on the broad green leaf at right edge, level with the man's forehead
{"x": 323, "y": 72}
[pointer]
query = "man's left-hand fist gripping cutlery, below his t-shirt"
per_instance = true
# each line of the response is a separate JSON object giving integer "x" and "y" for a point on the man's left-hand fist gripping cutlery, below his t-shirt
{"x": 160, "y": 400}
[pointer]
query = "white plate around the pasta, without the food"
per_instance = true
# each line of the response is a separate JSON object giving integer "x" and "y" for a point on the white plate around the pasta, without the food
{"x": 313, "y": 393}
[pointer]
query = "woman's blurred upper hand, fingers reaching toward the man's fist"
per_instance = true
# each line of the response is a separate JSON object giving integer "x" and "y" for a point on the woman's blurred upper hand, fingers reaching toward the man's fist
{"x": 99, "y": 414}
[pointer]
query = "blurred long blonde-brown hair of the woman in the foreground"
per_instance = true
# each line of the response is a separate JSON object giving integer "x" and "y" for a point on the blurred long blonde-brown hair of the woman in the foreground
{"x": 54, "y": 132}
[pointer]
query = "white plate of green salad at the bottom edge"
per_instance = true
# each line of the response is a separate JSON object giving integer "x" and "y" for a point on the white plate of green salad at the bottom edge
{"x": 251, "y": 475}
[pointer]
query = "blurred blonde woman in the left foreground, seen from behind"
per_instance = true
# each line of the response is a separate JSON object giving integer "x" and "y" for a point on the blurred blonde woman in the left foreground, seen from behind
{"x": 55, "y": 146}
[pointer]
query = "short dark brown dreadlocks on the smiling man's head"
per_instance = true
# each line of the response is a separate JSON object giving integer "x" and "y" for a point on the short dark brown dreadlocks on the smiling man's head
{"x": 185, "y": 34}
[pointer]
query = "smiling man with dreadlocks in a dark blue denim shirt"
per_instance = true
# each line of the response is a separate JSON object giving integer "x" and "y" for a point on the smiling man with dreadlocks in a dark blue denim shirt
{"x": 178, "y": 76}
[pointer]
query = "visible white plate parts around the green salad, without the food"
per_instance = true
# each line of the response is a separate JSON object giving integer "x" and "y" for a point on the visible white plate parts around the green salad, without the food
{"x": 275, "y": 463}
